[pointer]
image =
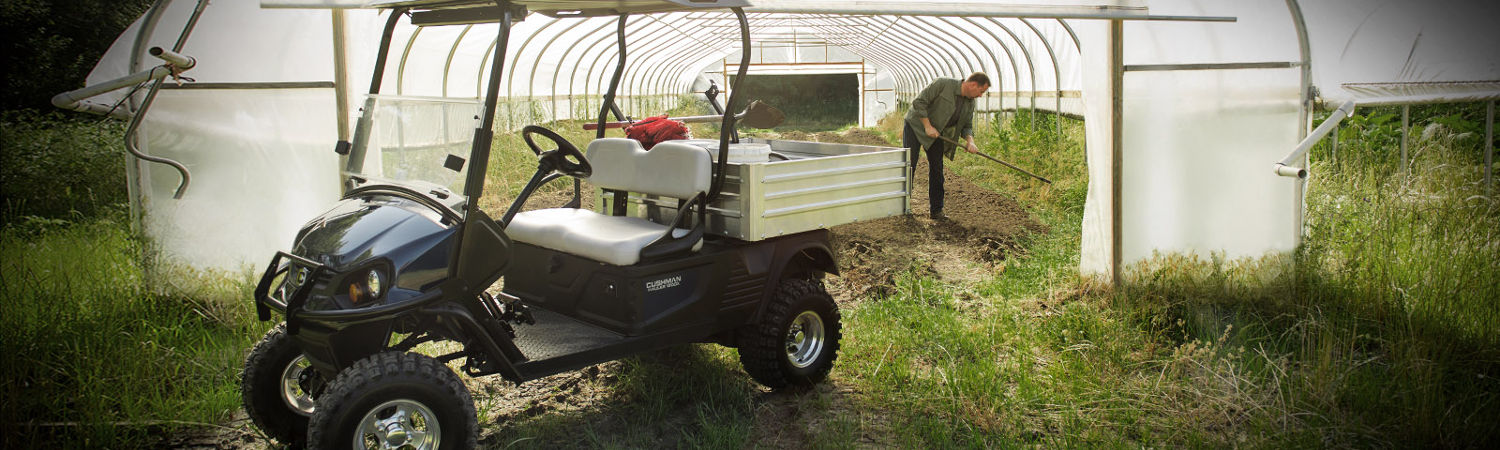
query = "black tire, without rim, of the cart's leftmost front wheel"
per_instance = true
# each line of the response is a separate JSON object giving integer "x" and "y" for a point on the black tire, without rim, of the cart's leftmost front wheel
{"x": 262, "y": 391}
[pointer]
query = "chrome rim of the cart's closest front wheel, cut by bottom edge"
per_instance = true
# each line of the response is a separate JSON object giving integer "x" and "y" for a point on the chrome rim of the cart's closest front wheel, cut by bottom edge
{"x": 407, "y": 425}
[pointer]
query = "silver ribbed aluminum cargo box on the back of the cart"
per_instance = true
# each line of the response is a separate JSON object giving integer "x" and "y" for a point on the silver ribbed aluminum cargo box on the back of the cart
{"x": 820, "y": 187}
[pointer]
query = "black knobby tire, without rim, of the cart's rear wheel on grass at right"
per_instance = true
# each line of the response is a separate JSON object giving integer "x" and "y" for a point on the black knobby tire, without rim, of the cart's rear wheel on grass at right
{"x": 764, "y": 347}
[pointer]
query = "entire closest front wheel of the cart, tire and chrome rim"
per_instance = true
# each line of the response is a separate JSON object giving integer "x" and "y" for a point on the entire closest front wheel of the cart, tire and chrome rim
{"x": 395, "y": 401}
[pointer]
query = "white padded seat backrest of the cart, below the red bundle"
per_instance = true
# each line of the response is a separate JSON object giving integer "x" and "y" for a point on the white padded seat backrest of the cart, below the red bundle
{"x": 671, "y": 169}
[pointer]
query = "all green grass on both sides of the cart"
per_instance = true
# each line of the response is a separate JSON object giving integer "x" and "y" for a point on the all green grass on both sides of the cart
{"x": 1381, "y": 331}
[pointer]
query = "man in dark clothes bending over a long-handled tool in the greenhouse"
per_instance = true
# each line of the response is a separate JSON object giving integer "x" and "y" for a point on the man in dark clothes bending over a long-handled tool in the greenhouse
{"x": 944, "y": 109}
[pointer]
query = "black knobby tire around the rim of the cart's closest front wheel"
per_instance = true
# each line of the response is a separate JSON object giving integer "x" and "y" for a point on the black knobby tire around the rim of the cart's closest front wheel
{"x": 389, "y": 377}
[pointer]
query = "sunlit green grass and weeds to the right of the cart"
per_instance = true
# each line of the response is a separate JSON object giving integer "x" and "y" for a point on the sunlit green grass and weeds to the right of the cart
{"x": 1384, "y": 332}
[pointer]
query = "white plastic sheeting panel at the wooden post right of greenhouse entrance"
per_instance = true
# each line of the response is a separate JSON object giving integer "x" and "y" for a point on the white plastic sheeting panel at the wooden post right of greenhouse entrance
{"x": 1198, "y": 140}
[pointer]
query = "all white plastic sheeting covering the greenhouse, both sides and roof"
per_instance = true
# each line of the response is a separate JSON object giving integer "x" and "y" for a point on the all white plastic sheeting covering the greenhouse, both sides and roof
{"x": 1196, "y": 143}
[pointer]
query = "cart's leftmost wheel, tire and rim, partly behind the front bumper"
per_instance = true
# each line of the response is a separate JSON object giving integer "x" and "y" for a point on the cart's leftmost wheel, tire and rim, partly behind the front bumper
{"x": 272, "y": 388}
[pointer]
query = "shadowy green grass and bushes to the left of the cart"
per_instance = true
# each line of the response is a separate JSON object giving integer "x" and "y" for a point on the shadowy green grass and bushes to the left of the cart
{"x": 106, "y": 344}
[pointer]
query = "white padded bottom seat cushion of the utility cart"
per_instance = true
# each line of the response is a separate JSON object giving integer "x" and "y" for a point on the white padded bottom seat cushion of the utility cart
{"x": 607, "y": 239}
